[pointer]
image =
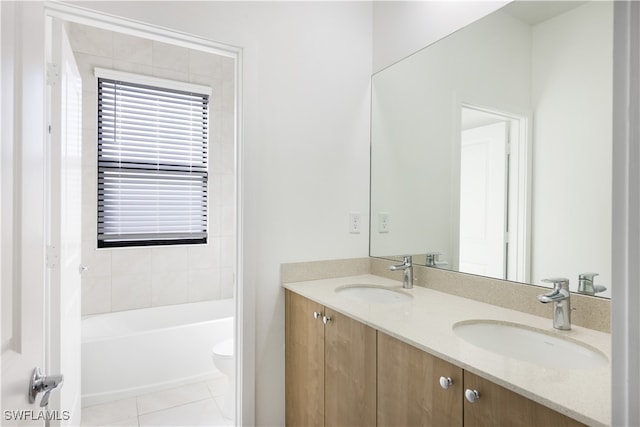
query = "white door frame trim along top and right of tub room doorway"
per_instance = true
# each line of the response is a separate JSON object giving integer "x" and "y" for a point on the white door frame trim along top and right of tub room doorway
{"x": 244, "y": 329}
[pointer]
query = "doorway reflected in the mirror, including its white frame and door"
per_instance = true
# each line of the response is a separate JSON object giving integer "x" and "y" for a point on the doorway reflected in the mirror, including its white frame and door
{"x": 494, "y": 198}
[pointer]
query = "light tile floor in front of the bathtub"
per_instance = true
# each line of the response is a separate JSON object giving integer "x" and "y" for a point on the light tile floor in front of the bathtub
{"x": 195, "y": 404}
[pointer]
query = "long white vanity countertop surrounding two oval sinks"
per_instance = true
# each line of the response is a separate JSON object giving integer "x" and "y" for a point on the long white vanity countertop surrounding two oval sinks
{"x": 426, "y": 322}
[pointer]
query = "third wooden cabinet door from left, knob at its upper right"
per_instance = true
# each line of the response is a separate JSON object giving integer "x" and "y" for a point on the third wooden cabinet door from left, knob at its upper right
{"x": 409, "y": 391}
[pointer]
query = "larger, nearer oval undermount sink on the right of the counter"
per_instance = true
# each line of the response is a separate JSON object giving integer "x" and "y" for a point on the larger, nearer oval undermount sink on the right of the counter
{"x": 530, "y": 345}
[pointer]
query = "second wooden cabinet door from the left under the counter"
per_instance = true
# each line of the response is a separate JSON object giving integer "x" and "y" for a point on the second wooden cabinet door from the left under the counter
{"x": 350, "y": 372}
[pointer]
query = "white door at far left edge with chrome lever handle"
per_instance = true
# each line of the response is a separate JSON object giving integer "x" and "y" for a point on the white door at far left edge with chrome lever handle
{"x": 22, "y": 207}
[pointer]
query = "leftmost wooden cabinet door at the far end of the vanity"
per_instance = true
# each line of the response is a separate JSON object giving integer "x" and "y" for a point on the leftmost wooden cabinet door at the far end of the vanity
{"x": 304, "y": 362}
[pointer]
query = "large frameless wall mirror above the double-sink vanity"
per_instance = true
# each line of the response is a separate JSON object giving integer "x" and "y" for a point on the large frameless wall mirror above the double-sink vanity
{"x": 491, "y": 149}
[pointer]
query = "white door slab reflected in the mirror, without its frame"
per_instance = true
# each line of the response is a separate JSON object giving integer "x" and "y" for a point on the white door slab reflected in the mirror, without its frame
{"x": 483, "y": 197}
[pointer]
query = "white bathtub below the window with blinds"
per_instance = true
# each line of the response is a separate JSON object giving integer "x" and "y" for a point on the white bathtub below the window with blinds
{"x": 140, "y": 351}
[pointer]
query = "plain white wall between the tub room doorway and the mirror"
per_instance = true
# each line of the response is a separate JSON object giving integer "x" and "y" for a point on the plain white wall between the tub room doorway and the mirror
{"x": 306, "y": 142}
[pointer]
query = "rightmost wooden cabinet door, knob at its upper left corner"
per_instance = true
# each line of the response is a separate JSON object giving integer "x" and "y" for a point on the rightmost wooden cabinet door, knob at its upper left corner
{"x": 498, "y": 406}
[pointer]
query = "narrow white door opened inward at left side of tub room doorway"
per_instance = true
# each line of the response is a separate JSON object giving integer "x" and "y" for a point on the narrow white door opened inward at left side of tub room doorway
{"x": 64, "y": 245}
